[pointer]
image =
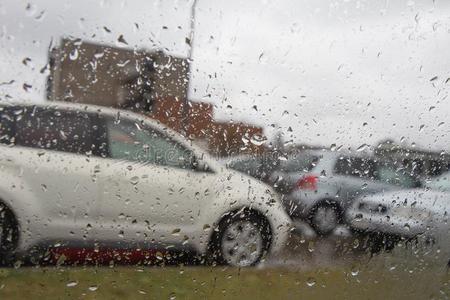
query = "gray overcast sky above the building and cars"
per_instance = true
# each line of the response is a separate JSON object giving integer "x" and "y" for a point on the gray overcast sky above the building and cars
{"x": 325, "y": 72}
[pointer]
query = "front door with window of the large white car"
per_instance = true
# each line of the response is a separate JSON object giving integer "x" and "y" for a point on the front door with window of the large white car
{"x": 152, "y": 191}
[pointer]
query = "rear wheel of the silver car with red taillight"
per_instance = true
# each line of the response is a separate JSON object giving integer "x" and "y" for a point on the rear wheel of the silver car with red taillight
{"x": 324, "y": 218}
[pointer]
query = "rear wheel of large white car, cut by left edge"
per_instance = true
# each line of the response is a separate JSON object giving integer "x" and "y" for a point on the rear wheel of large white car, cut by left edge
{"x": 9, "y": 235}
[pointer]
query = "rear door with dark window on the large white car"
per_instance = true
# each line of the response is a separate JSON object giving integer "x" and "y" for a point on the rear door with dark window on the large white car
{"x": 55, "y": 153}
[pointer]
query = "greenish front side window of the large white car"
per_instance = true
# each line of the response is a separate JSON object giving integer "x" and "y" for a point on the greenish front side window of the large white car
{"x": 130, "y": 141}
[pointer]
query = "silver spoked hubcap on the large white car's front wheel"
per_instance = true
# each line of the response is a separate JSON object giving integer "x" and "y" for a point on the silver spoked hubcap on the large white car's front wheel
{"x": 242, "y": 244}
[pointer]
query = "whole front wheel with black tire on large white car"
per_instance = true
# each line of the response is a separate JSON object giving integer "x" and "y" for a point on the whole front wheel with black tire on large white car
{"x": 241, "y": 240}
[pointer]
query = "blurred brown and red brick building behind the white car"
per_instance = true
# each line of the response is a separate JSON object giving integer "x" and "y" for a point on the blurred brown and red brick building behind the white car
{"x": 150, "y": 82}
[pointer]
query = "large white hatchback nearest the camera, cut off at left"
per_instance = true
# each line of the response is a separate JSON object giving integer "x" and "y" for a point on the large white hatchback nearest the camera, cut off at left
{"x": 85, "y": 176}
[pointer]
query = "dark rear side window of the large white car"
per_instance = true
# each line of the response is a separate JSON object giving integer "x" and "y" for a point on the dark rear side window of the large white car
{"x": 52, "y": 129}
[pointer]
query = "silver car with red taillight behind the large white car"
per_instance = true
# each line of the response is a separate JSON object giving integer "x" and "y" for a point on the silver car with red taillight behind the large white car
{"x": 323, "y": 192}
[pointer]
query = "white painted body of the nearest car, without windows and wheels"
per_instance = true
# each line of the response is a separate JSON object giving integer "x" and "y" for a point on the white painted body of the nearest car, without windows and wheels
{"x": 62, "y": 198}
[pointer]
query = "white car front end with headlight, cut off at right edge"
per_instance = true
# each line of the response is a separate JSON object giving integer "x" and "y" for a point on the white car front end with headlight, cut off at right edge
{"x": 406, "y": 214}
